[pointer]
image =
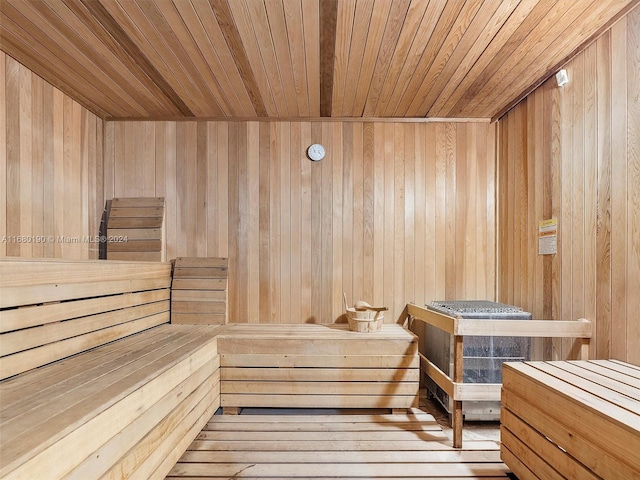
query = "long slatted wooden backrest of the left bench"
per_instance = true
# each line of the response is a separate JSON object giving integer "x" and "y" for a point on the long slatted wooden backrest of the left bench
{"x": 51, "y": 309}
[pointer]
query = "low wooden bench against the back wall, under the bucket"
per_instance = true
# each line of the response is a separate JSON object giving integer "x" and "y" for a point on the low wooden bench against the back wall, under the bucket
{"x": 318, "y": 366}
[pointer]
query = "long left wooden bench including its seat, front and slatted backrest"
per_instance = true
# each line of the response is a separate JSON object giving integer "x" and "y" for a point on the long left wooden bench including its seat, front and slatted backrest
{"x": 95, "y": 382}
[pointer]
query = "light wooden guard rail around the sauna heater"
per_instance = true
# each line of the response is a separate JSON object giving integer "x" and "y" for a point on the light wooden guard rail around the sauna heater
{"x": 458, "y": 391}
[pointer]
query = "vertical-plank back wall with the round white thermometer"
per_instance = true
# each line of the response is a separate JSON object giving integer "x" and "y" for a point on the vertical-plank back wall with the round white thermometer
{"x": 395, "y": 213}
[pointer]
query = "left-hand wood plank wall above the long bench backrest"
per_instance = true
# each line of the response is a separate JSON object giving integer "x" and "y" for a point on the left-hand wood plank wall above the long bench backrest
{"x": 51, "y": 152}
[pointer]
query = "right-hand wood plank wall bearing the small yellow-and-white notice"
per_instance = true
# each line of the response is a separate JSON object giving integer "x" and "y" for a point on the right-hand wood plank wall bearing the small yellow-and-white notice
{"x": 574, "y": 153}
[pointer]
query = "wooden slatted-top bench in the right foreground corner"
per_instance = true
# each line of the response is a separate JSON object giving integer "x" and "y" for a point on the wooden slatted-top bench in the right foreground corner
{"x": 575, "y": 419}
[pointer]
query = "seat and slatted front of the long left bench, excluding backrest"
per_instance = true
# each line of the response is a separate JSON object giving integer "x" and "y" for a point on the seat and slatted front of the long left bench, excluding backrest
{"x": 124, "y": 410}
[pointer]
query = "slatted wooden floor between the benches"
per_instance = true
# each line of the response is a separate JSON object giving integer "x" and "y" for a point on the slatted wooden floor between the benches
{"x": 348, "y": 446}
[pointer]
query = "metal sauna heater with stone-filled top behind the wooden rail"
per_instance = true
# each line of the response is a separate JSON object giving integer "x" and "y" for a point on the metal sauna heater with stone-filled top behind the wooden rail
{"x": 482, "y": 356}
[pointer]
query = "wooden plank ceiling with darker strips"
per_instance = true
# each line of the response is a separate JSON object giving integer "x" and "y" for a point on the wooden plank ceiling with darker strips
{"x": 300, "y": 58}
